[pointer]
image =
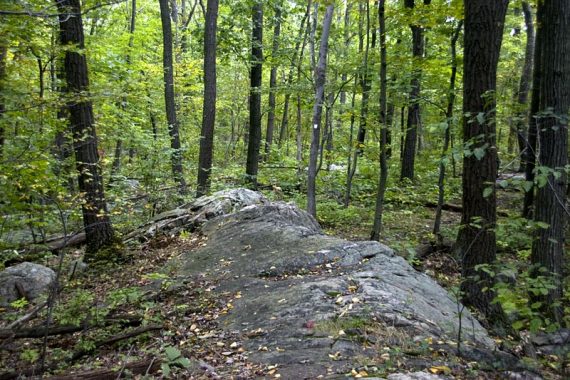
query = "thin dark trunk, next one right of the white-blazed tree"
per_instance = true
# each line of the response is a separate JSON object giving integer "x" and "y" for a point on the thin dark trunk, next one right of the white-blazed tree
{"x": 379, "y": 210}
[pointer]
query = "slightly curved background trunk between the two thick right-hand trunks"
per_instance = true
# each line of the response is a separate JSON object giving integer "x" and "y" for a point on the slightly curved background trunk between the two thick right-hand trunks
{"x": 521, "y": 117}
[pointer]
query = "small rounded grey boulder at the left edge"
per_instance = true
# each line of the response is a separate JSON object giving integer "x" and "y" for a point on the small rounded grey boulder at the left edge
{"x": 33, "y": 279}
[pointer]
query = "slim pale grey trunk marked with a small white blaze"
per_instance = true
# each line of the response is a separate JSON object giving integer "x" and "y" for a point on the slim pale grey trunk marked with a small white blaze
{"x": 320, "y": 78}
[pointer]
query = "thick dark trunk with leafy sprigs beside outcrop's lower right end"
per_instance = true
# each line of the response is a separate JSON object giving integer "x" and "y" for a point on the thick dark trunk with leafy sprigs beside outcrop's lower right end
{"x": 476, "y": 241}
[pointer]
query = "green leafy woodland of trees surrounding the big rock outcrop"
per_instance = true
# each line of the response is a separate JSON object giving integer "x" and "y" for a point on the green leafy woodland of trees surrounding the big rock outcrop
{"x": 436, "y": 127}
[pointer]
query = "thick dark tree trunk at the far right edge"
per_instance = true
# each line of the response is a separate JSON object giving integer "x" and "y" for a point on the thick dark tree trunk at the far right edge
{"x": 554, "y": 106}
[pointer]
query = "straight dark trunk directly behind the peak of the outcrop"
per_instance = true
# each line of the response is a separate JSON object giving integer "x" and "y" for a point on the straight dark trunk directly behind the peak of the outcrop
{"x": 252, "y": 163}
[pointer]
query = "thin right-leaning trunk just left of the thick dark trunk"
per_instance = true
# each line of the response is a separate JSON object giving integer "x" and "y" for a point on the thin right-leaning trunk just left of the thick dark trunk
{"x": 447, "y": 137}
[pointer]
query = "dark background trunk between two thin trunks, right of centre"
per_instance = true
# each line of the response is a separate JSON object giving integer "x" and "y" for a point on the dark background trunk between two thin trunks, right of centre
{"x": 411, "y": 139}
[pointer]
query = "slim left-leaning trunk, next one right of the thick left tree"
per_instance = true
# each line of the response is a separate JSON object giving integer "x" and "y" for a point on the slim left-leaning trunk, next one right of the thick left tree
{"x": 173, "y": 127}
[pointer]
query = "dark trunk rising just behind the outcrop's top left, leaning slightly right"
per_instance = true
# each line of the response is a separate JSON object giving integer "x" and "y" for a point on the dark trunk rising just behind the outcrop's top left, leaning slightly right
{"x": 209, "y": 105}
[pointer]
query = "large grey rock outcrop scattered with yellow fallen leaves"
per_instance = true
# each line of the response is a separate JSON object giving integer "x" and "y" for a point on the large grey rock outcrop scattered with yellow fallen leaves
{"x": 294, "y": 282}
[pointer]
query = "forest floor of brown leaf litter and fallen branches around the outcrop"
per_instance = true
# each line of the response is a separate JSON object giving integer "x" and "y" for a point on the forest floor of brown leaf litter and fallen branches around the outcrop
{"x": 128, "y": 326}
